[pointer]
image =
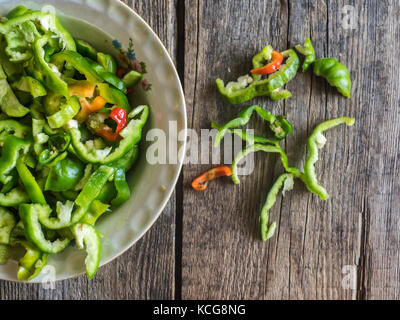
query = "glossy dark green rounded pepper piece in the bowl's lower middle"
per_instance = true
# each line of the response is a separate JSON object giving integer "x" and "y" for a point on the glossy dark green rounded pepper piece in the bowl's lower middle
{"x": 64, "y": 175}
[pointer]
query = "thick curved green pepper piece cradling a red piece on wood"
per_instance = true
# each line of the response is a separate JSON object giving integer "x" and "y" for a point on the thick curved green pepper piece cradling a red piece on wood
{"x": 246, "y": 88}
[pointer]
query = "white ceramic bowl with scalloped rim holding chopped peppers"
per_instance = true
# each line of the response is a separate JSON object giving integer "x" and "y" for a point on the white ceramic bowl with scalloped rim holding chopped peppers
{"x": 97, "y": 21}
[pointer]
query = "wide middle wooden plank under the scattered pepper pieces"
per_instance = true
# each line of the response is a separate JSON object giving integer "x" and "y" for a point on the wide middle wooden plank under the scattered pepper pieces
{"x": 222, "y": 254}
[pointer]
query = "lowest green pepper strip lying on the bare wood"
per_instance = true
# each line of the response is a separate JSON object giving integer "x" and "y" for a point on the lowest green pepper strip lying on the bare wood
{"x": 285, "y": 181}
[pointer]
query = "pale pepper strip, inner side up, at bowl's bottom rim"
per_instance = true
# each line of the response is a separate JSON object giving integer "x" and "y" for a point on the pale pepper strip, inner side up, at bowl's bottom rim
{"x": 86, "y": 236}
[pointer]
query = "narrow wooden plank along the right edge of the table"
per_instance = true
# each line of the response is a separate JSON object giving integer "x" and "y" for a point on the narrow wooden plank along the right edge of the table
{"x": 380, "y": 91}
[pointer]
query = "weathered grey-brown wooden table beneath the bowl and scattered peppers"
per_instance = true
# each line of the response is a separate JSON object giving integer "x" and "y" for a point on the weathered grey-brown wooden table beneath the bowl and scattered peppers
{"x": 206, "y": 245}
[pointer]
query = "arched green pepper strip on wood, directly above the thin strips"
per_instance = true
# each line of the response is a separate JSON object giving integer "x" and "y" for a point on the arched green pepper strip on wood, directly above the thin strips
{"x": 279, "y": 125}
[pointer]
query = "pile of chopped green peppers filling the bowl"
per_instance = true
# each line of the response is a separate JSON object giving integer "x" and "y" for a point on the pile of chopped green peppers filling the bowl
{"x": 68, "y": 137}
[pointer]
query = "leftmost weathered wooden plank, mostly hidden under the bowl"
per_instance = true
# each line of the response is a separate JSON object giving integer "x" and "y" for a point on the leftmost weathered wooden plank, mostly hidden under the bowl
{"x": 146, "y": 271}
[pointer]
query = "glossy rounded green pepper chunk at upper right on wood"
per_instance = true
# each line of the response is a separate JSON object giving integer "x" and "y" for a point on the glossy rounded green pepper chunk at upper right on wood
{"x": 335, "y": 73}
